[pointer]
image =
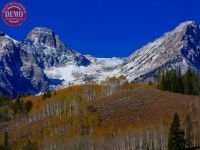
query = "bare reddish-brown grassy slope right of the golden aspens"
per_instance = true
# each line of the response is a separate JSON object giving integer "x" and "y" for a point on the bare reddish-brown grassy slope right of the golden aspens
{"x": 145, "y": 106}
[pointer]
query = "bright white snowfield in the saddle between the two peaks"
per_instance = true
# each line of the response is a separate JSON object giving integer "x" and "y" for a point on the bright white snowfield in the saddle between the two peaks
{"x": 98, "y": 70}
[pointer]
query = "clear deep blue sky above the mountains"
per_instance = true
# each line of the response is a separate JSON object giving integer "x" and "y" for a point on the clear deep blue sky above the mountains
{"x": 105, "y": 28}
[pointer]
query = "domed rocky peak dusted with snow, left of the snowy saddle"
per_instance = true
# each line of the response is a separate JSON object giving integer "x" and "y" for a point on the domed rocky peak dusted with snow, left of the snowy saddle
{"x": 49, "y": 51}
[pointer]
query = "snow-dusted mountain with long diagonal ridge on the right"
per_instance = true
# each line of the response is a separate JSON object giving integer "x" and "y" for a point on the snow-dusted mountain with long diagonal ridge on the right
{"x": 179, "y": 48}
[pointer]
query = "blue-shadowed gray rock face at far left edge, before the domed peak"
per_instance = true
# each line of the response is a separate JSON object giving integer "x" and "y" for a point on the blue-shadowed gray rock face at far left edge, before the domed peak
{"x": 19, "y": 72}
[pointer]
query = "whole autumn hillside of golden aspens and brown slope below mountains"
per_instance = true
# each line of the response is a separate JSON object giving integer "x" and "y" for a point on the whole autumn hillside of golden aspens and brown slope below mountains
{"x": 100, "y": 113}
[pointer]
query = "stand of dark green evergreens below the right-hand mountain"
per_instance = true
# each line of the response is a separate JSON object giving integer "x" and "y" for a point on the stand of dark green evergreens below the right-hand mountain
{"x": 174, "y": 81}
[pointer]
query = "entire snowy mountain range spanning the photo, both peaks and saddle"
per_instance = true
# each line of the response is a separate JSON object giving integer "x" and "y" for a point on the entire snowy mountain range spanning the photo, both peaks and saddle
{"x": 42, "y": 61}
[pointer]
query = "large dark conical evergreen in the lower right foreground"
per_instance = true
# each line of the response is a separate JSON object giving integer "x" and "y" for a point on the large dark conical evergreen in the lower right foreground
{"x": 176, "y": 135}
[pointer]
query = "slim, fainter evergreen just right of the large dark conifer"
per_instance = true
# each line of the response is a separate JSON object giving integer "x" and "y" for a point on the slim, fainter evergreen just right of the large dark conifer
{"x": 188, "y": 131}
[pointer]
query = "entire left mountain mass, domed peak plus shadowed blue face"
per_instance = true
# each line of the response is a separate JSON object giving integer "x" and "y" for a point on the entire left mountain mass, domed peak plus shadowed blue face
{"x": 22, "y": 64}
